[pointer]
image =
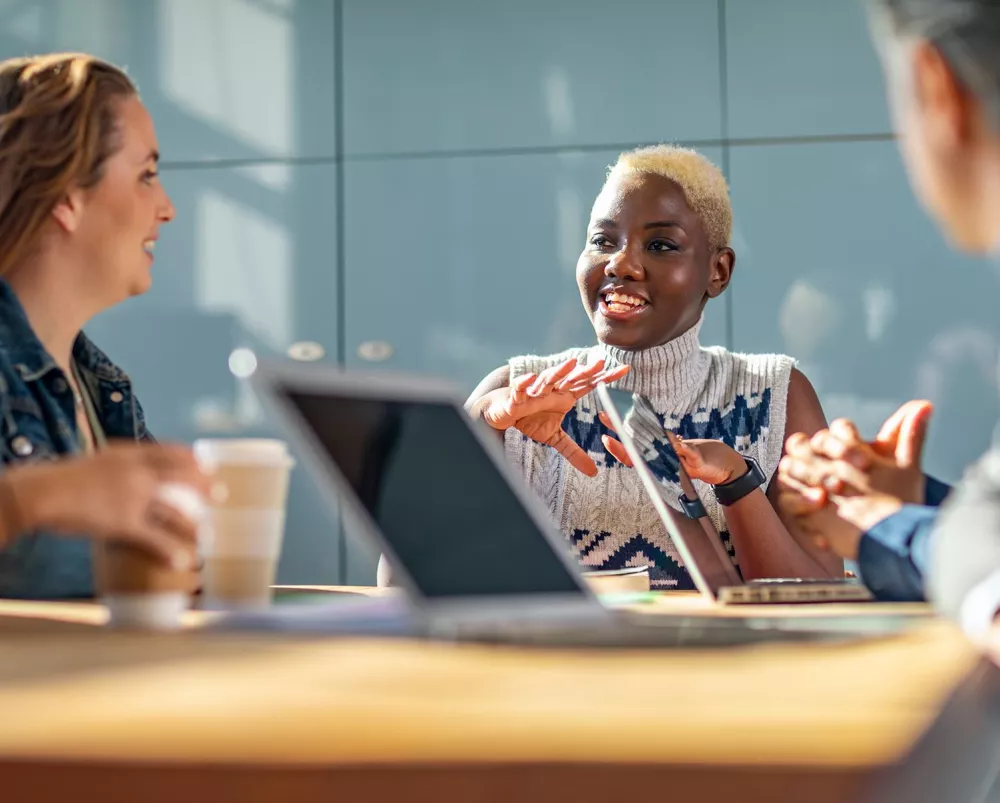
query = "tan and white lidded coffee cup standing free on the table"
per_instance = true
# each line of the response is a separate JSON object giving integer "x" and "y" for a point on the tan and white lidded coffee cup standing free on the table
{"x": 246, "y": 530}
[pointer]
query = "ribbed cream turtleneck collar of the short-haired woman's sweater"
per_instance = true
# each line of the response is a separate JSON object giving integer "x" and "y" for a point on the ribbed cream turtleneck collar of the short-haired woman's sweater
{"x": 674, "y": 372}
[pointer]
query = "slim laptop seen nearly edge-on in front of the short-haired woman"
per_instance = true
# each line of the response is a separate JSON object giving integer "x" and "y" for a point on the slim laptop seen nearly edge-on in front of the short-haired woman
{"x": 642, "y": 434}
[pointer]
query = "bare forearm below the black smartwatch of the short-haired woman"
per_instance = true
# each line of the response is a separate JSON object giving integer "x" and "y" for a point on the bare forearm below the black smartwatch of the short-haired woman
{"x": 764, "y": 547}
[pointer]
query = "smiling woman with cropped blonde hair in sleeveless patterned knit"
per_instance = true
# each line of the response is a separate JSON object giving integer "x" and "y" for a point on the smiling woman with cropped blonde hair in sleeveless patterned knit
{"x": 657, "y": 250}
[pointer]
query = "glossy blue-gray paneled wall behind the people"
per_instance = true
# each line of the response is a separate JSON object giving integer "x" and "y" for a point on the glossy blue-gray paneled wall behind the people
{"x": 418, "y": 173}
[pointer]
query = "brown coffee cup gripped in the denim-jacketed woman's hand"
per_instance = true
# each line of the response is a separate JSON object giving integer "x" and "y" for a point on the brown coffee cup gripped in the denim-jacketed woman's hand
{"x": 139, "y": 589}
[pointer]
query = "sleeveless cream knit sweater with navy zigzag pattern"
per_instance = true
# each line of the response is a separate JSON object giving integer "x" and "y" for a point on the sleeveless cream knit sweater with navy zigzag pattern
{"x": 698, "y": 393}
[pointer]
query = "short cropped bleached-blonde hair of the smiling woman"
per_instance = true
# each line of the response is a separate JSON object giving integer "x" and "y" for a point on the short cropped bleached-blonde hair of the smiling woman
{"x": 705, "y": 188}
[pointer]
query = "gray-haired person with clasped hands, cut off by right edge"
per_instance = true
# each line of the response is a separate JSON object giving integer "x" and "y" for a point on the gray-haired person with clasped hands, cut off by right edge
{"x": 870, "y": 501}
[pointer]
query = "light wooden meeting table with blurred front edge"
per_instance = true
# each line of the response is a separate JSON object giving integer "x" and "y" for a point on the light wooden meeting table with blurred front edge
{"x": 90, "y": 714}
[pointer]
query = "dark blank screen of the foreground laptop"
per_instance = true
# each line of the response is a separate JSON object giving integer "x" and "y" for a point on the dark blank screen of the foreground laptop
{"x": 445, "y": 508}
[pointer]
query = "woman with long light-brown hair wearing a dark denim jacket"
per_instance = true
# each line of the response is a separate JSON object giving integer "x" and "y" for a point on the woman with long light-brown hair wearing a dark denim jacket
{"x": 81, "y": 207}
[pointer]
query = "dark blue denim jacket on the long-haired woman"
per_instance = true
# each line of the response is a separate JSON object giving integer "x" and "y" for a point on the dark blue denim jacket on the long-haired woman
{"x": 38, "y": 422}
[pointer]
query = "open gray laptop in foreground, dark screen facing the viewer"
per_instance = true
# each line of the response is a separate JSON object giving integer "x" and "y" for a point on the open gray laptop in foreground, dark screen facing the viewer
{"x": 474, "y": 551}
